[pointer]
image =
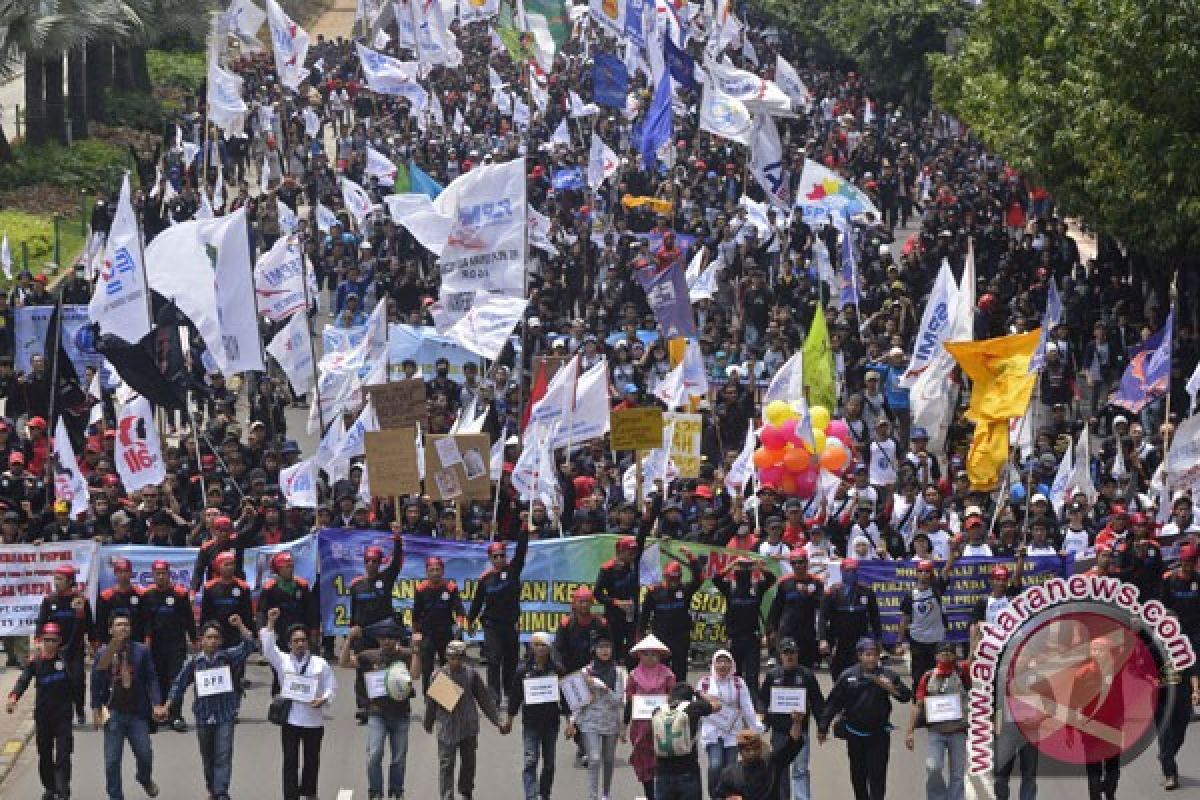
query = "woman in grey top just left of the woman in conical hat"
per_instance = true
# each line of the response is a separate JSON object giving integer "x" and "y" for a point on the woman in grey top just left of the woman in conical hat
{"x": 601, "y": 721}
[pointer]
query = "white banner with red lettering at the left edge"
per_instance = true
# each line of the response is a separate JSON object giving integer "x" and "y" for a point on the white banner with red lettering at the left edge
{"x": 27, "y": 575}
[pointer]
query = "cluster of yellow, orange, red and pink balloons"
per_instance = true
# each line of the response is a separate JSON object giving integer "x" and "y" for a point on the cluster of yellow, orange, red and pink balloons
{"x": 790, "y": 465}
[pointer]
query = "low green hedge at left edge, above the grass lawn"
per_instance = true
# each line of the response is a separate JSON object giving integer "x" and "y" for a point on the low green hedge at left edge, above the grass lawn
{"x": 91, "y": 165}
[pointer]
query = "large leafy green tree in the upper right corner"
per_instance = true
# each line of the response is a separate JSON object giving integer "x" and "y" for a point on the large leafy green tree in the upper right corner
{"x": 1097, "y": 100}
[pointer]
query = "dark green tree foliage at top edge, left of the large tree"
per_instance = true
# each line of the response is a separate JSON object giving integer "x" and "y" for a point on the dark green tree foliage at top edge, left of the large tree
{"x": 889, "y": 40}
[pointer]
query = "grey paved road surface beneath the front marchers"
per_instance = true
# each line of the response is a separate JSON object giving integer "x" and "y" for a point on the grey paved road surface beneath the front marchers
{"x": 257, "y": 763}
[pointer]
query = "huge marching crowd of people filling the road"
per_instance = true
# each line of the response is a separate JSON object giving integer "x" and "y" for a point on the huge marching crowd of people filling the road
{"x": 943, "y": 200}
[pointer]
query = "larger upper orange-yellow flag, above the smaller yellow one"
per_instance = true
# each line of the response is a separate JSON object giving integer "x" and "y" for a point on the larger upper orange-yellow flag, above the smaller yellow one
{"x": 1000, "y": 374}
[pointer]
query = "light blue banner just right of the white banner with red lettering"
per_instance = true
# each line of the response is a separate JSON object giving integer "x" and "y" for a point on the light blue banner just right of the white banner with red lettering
{"x": 183, "y": 560}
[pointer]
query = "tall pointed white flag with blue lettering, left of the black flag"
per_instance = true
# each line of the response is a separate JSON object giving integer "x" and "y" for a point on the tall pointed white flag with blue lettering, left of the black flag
{"x": 121, "y": 305}
